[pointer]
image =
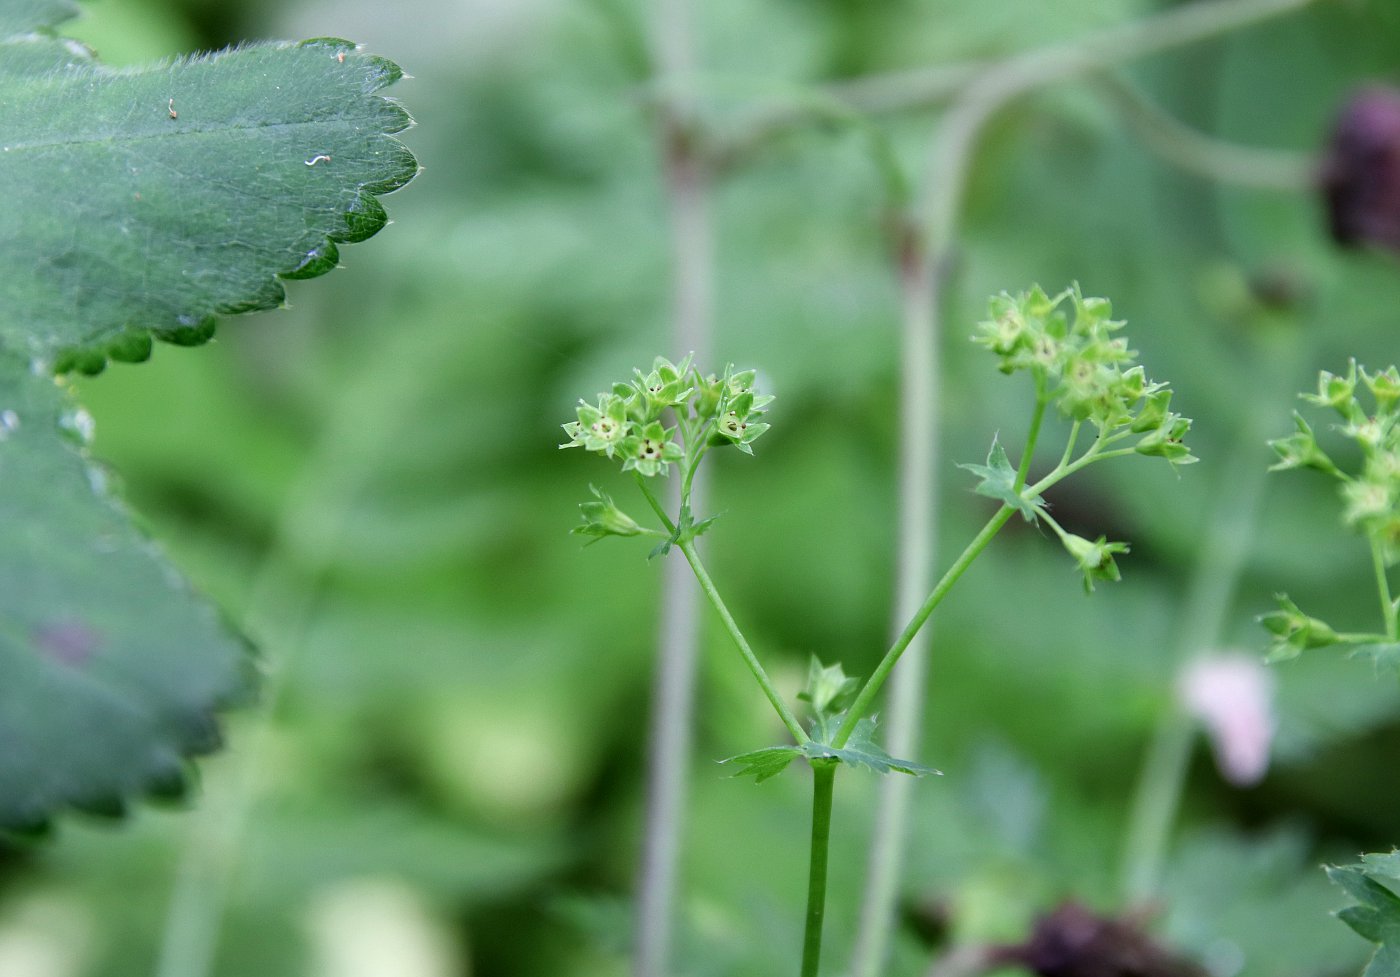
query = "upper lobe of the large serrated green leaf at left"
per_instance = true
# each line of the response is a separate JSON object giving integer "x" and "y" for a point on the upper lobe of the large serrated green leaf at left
{"x": 155, "y": 199}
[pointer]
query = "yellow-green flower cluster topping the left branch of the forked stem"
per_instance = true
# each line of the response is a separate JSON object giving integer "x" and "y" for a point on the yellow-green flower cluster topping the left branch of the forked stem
{"x": 710, "y": 411}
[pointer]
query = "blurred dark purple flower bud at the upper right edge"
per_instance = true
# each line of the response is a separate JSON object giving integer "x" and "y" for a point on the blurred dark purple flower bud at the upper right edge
{"x": 1361, "y": 173}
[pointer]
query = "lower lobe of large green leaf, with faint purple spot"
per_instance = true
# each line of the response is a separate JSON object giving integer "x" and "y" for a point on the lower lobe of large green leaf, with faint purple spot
{"x": 113, "y": 667}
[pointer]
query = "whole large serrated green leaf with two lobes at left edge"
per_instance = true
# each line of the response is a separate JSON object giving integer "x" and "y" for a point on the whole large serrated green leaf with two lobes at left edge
{"x": 139, "y": 205}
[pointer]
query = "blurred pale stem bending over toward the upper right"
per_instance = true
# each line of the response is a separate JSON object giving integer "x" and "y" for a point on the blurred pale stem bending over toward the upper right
{"x": 932, "y": 237}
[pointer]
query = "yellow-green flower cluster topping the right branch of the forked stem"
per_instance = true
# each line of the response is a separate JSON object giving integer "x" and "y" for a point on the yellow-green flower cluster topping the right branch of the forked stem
{"x": 1067, "y": 344}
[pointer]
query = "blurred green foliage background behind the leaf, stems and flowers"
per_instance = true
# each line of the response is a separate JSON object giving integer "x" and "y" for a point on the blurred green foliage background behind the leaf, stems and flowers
{"x": 451, "y": 780}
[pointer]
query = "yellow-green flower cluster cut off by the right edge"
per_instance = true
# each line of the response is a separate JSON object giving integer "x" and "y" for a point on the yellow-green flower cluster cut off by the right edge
{"x": 1371, "y": 496}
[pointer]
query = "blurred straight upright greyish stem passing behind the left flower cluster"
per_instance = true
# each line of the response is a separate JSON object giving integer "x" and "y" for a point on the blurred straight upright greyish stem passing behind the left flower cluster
{"x": 685, "y": 176}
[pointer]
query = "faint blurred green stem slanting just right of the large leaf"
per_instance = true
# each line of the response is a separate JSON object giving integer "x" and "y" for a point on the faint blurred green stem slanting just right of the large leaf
{"x": 278, "y": 617}
